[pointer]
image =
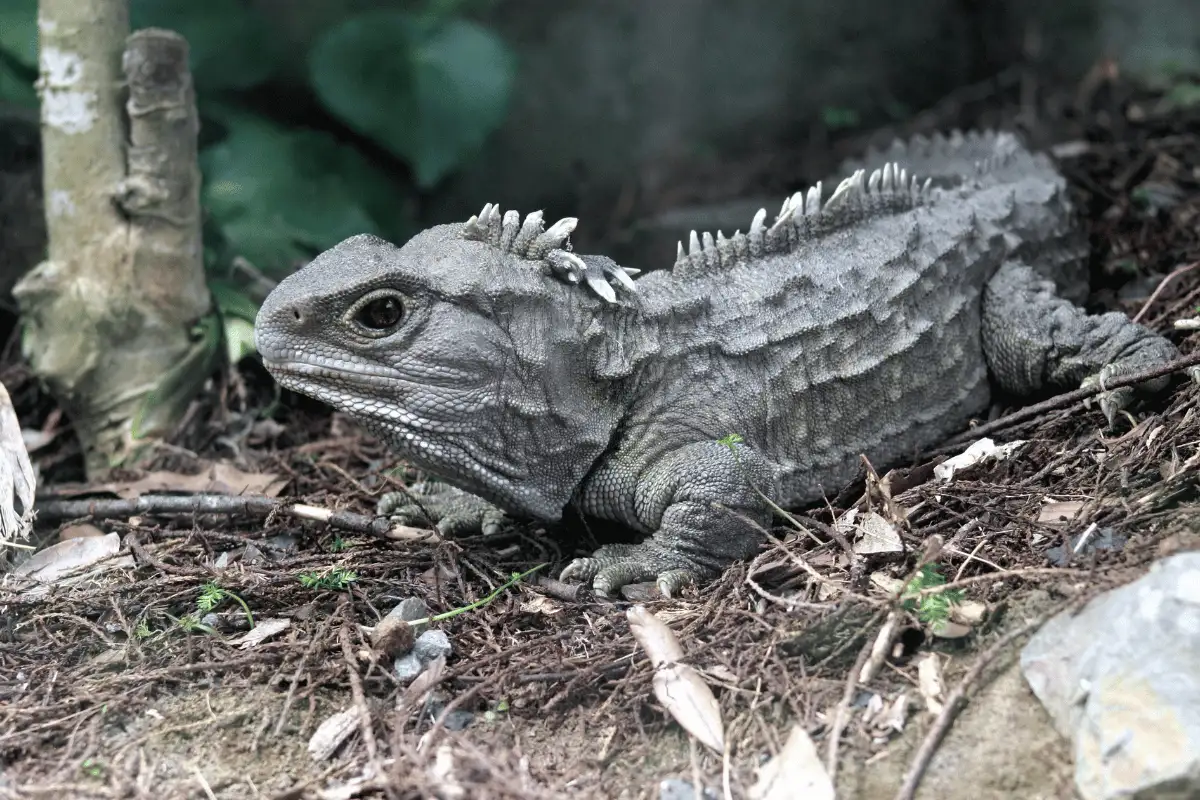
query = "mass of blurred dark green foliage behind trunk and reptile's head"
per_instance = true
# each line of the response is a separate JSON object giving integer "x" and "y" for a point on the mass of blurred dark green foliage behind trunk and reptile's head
{"x": 392, "y": 104}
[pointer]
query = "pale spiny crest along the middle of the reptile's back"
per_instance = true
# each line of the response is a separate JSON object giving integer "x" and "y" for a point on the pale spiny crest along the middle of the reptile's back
{"x": 805, "y": 216}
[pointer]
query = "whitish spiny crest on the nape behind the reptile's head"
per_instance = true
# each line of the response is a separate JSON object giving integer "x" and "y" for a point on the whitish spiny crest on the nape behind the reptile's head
{"x": 553, "y": 248}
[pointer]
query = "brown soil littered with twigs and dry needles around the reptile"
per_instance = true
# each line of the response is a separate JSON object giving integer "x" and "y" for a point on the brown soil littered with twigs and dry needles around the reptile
{"x": 106, "y": 691}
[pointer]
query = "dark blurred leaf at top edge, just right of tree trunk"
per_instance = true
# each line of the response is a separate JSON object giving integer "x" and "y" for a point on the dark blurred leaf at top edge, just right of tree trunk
{"x": 231, "y": 45}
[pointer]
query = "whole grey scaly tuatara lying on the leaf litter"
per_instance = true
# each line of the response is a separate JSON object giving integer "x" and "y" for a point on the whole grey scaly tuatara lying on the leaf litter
{"x": 875, "y": 320}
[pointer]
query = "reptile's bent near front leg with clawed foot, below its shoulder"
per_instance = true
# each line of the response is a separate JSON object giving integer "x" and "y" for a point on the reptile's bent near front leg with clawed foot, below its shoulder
{"x": 692, "y": 501}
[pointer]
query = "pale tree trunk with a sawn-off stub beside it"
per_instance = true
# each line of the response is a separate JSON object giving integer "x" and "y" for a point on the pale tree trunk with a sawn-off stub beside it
{"x": 118, "y": 321}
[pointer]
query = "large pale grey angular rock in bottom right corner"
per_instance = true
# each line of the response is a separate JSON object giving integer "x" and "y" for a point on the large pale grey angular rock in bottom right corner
{"x": 1121, "y": 681}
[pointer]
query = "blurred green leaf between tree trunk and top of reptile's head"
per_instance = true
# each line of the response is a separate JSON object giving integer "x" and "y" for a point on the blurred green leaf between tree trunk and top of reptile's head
{"x": 281, "y": 196}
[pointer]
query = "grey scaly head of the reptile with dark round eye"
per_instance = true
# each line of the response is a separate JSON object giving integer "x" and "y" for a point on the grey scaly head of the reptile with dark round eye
{"x": 463, "y": 357}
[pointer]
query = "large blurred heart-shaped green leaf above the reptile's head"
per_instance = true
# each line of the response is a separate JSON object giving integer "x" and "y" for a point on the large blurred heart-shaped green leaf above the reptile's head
{"x": 429, "y": 92}
